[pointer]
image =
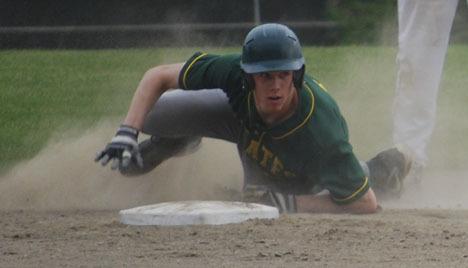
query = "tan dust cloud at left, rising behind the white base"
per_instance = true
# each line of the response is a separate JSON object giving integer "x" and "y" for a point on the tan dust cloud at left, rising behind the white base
{"x": 64, "y": 176}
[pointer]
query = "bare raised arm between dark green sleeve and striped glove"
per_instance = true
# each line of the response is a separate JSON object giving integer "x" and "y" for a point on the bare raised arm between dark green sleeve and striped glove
{"x": 154, "y": 83}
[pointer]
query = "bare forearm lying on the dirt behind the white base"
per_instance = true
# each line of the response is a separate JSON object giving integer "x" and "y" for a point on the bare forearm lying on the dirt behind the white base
{"x": 324, "y": 204}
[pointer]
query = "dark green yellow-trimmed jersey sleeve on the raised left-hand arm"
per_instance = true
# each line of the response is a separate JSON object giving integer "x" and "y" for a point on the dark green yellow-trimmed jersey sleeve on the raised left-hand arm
{"x": 207, "y": 71}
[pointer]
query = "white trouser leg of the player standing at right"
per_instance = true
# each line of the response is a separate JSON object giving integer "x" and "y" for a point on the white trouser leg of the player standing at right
{"x": 423, "y": 36}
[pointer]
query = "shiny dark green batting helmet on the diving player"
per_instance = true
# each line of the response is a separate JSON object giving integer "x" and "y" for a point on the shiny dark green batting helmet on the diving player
{"x": 273, "y": 47}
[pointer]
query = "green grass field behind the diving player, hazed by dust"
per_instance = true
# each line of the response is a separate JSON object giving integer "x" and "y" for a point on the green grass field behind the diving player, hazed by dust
{"x": 45, "y": 92}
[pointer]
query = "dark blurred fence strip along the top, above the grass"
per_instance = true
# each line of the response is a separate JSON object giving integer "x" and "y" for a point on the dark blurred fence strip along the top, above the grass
{"x": 146, "y": 23}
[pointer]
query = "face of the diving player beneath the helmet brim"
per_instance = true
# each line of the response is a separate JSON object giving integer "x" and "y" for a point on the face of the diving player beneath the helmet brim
{"x": 275, "y": 95}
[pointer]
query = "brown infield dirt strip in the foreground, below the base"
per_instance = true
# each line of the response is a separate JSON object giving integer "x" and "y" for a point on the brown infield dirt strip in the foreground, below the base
{"x": 391, "y": 238}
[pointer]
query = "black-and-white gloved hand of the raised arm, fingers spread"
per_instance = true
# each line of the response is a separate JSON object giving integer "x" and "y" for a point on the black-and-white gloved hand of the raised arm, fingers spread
{"x": 122, "y": 150}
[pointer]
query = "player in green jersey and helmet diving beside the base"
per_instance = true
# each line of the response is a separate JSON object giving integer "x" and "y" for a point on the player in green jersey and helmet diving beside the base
{"x": 290, "y": 134}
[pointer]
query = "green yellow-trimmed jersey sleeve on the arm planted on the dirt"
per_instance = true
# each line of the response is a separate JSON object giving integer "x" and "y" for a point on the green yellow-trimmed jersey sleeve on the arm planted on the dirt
{"x": 339, "y": 170}
